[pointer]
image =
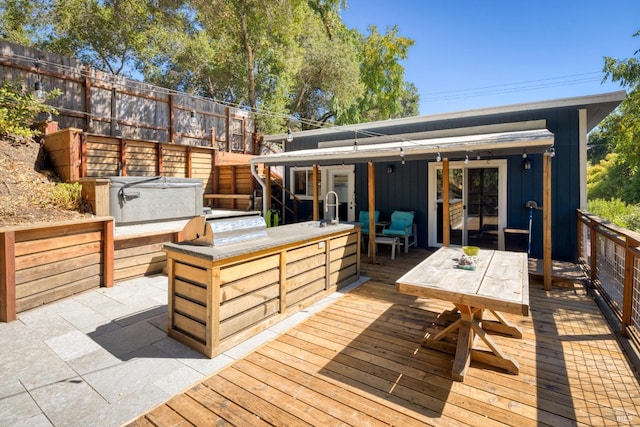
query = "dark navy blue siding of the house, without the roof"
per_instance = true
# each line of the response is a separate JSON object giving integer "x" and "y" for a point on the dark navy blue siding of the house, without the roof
{"x": 406, "y": 188}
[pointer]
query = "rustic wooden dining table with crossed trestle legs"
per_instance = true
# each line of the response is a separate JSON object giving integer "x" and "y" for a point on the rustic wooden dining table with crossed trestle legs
{"x": 498, "y": 284}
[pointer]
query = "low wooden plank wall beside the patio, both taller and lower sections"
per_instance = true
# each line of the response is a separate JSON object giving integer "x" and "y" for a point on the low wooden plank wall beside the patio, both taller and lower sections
{"x": 44, "y": 263}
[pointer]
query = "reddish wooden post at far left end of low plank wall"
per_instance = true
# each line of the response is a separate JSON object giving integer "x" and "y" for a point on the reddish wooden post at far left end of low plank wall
{"x": 7, "y": 276}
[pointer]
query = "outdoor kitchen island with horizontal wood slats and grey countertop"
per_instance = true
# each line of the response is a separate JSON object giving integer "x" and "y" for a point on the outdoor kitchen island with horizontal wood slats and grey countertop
{"x": 221, "y": 295}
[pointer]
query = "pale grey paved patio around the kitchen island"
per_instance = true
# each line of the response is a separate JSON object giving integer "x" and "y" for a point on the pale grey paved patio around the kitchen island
{"x": 103, "y": 357}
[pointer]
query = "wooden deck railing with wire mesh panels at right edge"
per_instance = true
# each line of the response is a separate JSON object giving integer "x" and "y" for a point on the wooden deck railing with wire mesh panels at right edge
{"x": 611, "y": 255}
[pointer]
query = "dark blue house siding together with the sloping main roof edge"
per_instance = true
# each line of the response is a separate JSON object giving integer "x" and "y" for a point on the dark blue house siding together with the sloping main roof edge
{"x": 407, "y": 187}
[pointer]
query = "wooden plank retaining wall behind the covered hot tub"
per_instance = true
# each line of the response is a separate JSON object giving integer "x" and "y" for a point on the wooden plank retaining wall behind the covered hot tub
{"x": 79, "y": 156}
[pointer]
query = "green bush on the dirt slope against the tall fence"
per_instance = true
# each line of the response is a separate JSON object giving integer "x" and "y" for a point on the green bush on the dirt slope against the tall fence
{"x": 18, "y": 110}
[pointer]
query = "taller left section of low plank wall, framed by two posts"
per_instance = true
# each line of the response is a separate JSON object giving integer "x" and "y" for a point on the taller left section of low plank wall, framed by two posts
{"x": 40, "y": 264}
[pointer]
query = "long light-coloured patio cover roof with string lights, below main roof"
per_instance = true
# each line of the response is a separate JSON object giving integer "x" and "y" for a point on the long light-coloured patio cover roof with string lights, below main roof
{"x": 487, "y": 145}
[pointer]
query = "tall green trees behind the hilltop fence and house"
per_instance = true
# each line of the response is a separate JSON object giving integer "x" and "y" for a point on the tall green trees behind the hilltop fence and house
{"x": 292, "y": 62}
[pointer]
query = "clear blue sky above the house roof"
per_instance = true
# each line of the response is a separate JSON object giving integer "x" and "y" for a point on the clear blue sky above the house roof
{"x": 476, "y": 54}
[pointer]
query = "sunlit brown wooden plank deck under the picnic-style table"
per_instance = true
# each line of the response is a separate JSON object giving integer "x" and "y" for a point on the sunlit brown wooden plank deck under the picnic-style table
{"x": 358, "y": 362}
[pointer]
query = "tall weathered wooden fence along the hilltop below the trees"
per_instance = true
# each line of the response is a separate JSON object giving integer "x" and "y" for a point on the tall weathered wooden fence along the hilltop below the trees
{"x": 110, "y": 105}
